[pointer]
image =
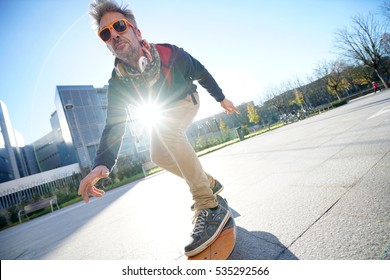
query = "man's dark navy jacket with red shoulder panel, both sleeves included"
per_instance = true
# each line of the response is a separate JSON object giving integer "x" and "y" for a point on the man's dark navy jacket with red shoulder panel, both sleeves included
{"x": 178, "y": 71}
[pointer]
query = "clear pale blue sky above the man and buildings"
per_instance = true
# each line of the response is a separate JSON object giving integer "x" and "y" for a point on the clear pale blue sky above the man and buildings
{"x": 246, "y": 45}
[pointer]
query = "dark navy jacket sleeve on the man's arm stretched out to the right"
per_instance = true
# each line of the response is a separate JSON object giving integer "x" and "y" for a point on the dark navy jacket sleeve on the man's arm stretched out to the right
{"x": 194, "y": 70}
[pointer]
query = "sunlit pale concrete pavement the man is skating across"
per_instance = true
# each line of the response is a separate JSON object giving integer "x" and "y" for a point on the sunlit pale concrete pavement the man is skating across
{"x": 315, "y": 189}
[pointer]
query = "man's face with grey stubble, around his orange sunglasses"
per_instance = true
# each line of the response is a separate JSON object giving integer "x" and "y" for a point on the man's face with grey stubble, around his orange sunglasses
{"x": 125, "y": 45}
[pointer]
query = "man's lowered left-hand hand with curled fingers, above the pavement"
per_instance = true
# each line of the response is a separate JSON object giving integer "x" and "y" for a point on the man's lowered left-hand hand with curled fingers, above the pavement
{"x": 87, "y": 185}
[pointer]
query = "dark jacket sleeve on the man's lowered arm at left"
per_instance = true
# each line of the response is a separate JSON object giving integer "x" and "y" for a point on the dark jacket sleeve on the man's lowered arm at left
{"x": 115, "y": 127}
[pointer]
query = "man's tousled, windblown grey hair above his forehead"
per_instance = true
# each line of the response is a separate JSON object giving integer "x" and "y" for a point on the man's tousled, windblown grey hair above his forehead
{"x": 99, "y": 8}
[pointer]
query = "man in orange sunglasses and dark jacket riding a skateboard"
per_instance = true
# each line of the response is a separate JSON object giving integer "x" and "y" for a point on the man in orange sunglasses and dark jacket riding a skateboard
{"x": 162, "y": 74}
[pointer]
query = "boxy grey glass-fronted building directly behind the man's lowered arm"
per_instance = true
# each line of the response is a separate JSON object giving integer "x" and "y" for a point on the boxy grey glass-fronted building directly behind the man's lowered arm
{"x": 81, "y": 114}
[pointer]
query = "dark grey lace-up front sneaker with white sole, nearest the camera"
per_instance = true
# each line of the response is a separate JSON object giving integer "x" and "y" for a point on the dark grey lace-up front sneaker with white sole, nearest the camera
{"x": 209, "y": 224}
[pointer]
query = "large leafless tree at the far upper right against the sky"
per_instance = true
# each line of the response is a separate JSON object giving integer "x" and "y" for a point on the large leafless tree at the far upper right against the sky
{"x": 365, "y": 43}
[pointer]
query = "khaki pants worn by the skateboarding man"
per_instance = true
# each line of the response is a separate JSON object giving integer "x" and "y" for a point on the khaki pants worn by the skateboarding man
{"x": 171, "y": 150}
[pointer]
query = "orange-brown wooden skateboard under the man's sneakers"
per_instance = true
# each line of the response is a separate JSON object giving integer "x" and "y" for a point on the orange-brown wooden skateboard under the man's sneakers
{"x": 223, "y": 245}
